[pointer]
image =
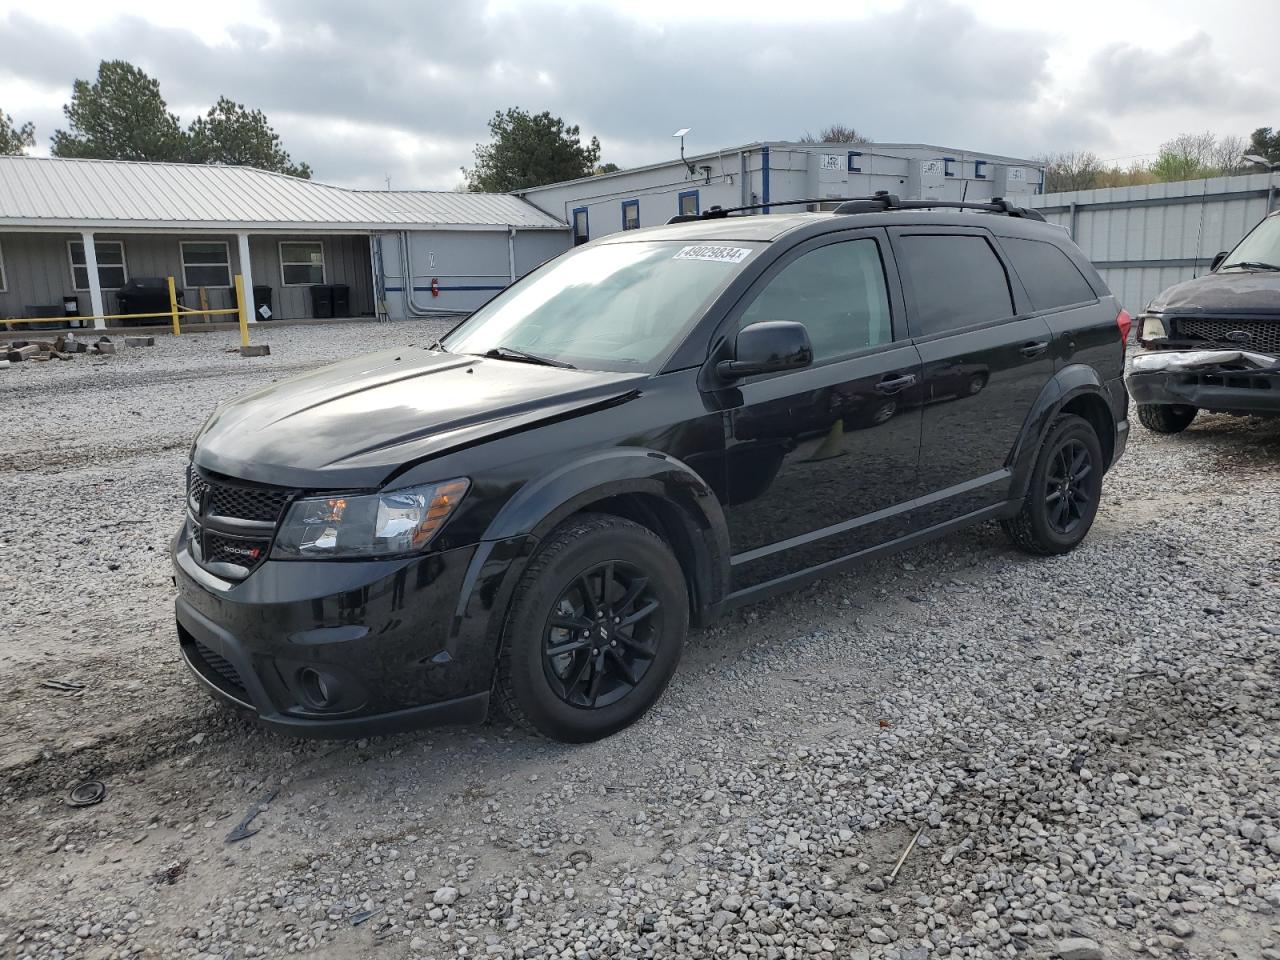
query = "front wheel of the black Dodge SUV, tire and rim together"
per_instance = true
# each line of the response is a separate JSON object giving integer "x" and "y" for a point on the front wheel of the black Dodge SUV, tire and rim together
{"x": 610, "y": 665}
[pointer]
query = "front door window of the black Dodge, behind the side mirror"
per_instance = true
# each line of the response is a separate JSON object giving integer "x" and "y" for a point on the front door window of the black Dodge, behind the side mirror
{"x": 838, "y": 292}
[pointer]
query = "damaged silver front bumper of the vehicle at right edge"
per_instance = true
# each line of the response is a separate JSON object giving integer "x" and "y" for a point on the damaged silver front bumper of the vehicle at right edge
{"x": 1232, "y": 382}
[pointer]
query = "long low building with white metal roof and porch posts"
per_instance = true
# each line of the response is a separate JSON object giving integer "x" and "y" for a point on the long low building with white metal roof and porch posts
{"x": 77, "y": 232}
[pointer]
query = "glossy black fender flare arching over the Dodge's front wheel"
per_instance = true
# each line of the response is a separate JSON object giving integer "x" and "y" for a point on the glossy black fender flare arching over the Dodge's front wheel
{"x": 543, "y": 504}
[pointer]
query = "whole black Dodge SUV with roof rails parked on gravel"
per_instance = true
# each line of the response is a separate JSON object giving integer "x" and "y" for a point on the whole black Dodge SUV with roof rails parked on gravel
{"x": 644, "y": 433}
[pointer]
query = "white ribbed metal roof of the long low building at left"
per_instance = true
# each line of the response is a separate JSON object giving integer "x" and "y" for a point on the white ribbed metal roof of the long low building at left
{"x": 113, "y": 194}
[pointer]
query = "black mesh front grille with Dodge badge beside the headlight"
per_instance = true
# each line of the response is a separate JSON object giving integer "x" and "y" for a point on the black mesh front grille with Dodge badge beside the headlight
{"x": 232, "y": 524}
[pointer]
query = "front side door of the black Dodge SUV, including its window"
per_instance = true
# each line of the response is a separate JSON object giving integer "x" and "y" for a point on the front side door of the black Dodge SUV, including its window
{"x": 819, "y": 459}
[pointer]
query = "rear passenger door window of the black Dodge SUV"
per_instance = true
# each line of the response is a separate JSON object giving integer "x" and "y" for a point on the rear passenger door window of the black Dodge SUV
{"x": 957, "y": 281}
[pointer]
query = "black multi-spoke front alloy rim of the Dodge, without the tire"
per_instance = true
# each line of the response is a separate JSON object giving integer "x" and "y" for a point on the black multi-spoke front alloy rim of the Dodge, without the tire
{"x": 602, "y": 636}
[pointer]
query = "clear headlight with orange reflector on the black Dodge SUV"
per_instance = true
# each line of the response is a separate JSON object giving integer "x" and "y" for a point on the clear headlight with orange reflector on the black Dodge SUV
{"x": 377, "y": 525}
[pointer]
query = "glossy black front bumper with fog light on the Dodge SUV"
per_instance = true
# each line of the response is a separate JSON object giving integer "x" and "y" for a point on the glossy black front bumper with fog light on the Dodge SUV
{"x": 339, "y": 650}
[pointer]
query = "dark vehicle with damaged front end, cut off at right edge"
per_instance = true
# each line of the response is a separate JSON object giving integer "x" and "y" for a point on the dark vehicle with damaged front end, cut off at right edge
{"x": 1214, "y": 344}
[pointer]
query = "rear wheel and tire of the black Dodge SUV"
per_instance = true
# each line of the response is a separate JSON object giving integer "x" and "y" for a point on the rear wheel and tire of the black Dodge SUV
{"x": 1064, "y": 491}
